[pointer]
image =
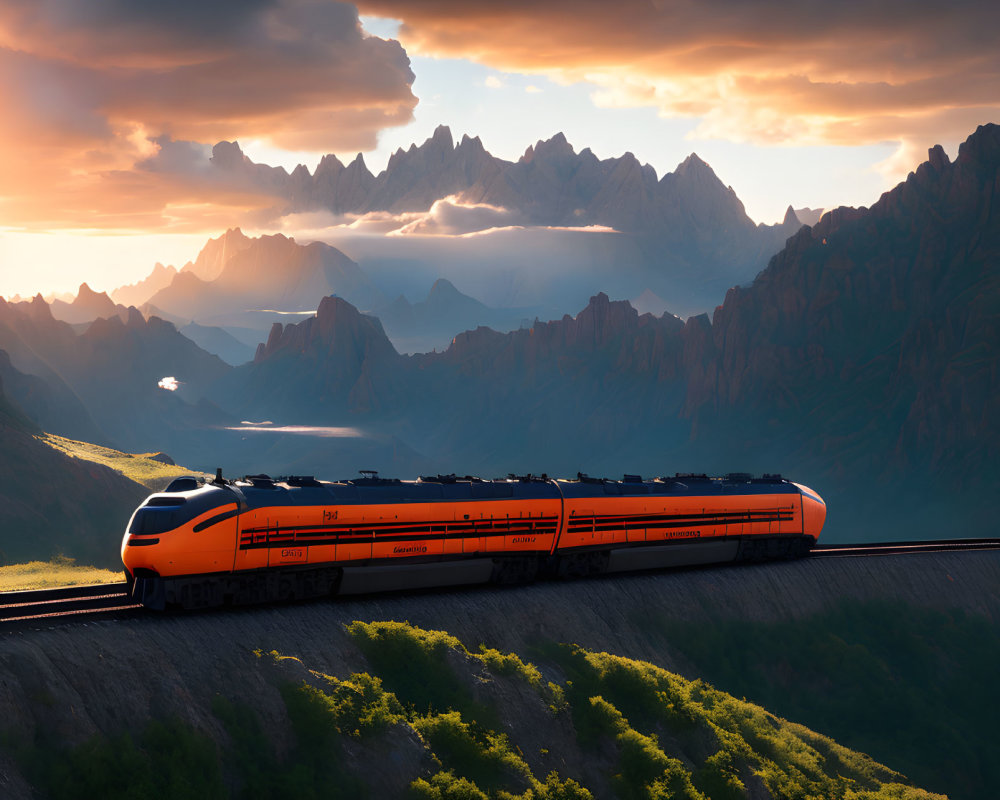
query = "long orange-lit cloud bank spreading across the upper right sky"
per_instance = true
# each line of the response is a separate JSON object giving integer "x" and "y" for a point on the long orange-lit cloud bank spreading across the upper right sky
{"x": 764, "y": 71}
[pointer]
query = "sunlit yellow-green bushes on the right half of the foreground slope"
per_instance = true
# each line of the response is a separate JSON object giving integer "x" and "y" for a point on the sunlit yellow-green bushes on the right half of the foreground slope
{"x": 718, "y": 744}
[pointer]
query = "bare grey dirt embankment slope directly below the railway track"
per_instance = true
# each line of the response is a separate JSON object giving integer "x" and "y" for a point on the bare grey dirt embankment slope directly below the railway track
{"x": 72, "y": 682}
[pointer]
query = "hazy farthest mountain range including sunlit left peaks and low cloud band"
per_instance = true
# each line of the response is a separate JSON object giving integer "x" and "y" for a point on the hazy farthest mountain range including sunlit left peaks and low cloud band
{"x": 684, "y": 237}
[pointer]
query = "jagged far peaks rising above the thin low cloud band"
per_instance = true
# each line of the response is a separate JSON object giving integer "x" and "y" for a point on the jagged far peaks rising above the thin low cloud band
{"x": 551, "y": 184}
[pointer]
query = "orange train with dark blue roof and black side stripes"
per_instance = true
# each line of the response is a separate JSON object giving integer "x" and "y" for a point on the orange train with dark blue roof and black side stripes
{"x": 200, "y": 544}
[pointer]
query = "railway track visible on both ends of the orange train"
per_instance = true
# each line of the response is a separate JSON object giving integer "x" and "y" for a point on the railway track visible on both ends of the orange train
{"x": 111, "y": 600}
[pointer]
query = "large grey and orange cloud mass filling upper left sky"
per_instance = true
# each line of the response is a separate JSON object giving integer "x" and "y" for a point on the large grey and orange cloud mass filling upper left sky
{"x": 106, "y": 102}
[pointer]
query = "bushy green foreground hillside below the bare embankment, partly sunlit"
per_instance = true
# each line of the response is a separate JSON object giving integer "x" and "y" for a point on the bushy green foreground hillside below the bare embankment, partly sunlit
{"x": 429, "y": 719}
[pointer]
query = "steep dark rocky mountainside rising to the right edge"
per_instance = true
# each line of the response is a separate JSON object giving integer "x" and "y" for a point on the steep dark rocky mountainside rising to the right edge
{"x": 883, "y": 312}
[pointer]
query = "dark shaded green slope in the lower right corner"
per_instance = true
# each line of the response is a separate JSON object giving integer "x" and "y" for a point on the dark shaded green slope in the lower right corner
{"x": 864, "y": 669}
